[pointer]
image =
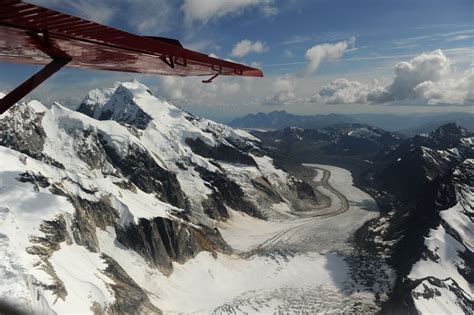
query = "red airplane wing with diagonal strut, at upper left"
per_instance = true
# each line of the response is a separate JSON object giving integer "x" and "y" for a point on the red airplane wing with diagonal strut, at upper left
{"x": 30, "y": 34}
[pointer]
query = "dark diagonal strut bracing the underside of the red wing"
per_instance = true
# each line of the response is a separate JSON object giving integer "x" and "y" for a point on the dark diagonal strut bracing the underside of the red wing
{"x": 29, "y": 85}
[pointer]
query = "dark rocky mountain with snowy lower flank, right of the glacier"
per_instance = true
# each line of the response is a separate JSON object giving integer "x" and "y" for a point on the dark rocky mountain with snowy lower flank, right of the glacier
{"x": 429, "y": 234}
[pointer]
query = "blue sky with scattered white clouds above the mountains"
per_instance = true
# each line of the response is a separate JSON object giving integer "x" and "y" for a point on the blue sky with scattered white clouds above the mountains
{"x": 318, "y": 56}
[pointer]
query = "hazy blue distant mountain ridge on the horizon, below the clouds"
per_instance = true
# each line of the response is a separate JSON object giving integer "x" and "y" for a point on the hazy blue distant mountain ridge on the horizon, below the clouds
{"x": 282, "y": 119}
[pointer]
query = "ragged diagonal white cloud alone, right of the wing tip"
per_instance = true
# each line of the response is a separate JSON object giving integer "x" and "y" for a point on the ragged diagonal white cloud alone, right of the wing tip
{"x": 317, "y": 54}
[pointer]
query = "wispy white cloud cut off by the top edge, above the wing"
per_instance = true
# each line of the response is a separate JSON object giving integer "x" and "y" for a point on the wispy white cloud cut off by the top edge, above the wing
{"x": 206, "y": 10}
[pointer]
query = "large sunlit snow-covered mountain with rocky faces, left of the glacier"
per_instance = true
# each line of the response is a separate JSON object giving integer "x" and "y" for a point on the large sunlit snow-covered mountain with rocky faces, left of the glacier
{"x": 127, "y": 175}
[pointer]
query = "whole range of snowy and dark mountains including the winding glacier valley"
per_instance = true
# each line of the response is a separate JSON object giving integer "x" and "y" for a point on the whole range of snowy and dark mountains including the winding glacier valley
{"x": 131, "y": 205}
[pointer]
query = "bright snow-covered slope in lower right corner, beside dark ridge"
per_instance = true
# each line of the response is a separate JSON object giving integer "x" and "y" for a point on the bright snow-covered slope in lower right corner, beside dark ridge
{"x": 444, "y": 277}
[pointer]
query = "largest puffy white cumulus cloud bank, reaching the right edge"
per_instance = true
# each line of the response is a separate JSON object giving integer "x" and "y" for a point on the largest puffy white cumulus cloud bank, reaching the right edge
{"x": 428, "y": 77}
